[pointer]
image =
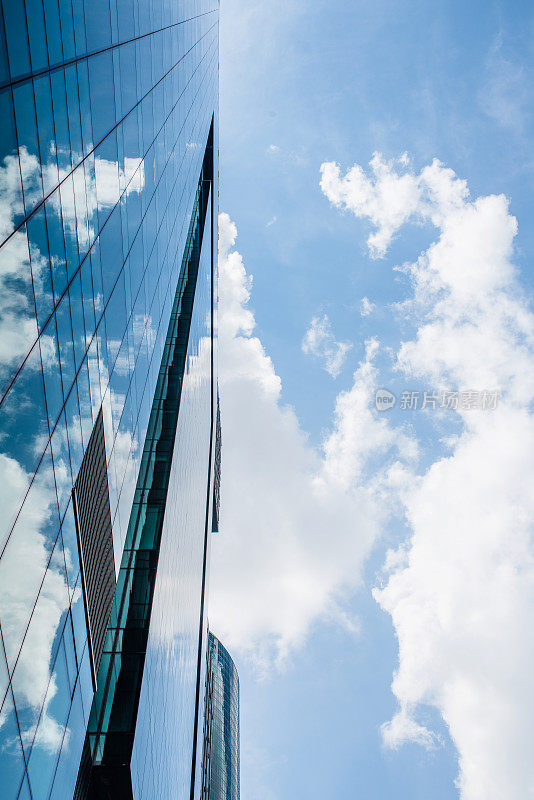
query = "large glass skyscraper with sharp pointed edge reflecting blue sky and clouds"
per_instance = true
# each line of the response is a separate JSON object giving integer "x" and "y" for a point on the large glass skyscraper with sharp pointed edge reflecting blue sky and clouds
{"x": 108, "y": 403}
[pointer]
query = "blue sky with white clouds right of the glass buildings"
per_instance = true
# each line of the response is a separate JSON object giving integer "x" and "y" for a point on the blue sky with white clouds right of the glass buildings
{"x": 374, "y": 574}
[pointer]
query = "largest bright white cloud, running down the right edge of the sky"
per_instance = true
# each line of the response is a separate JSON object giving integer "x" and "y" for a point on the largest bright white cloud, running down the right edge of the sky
{"x": 460, "y": 592}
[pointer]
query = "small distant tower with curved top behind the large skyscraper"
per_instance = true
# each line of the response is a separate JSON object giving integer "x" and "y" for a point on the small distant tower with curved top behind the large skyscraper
{"x": 221, "y": 771}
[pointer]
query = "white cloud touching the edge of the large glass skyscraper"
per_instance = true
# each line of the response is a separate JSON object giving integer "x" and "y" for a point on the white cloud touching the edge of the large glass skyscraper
{"x": 297, "y": 522}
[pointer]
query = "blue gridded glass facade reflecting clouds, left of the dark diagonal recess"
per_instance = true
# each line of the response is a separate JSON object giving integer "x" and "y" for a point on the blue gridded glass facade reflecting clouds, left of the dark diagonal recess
{"x": 106, "y": 108}
